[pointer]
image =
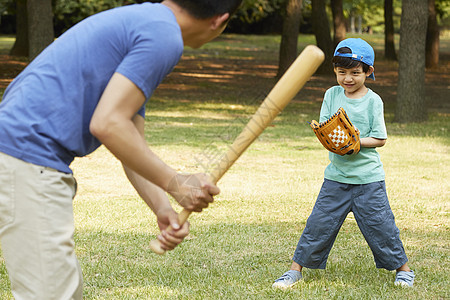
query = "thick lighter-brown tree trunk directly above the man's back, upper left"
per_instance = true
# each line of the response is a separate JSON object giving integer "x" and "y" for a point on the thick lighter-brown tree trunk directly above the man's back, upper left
{"x": 40, "y": 26}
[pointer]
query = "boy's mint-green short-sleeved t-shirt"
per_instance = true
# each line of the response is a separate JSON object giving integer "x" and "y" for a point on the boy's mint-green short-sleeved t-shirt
{"x": 367, "y": 115}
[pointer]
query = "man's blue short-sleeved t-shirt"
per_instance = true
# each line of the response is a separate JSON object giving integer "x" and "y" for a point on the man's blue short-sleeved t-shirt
{"x": 46, "y": 111}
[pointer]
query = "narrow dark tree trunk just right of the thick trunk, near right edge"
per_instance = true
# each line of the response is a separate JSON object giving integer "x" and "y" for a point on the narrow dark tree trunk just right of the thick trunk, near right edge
{"x": 432, "y": 40}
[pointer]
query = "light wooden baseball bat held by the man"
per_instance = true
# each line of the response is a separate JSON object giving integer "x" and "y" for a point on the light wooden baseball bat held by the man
{"x": 281, "y": 94}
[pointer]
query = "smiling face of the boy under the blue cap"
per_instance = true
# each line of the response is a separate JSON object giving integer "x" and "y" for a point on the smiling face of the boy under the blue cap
{"x": 352, "y": 80}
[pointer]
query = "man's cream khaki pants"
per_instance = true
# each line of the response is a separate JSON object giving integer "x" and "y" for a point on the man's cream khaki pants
{"x": 36, "y": 231}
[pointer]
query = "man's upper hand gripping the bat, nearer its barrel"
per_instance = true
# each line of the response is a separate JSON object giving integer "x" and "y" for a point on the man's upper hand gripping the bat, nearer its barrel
{"x": 193, "y": 191}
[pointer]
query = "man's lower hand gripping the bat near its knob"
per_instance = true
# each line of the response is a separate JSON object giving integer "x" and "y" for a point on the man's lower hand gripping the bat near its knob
{"x": 173, "y": 236}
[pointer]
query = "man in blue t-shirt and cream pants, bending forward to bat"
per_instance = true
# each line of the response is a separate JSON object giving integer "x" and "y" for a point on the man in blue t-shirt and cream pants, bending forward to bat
{"x": 89, "y": 88}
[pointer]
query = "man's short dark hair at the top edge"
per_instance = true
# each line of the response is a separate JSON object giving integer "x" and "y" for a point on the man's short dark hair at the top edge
{"x": 203, "y": 9}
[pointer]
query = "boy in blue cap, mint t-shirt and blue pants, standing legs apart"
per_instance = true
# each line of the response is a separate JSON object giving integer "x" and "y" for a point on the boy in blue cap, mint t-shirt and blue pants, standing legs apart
{"x": 353, "y": 183}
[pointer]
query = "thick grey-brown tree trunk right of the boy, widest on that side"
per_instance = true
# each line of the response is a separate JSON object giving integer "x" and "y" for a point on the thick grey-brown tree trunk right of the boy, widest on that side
{"x": 411, "y": 105}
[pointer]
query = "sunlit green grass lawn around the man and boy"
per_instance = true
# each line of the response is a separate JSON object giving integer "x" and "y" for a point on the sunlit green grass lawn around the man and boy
{"x": 245, "y": 240}
